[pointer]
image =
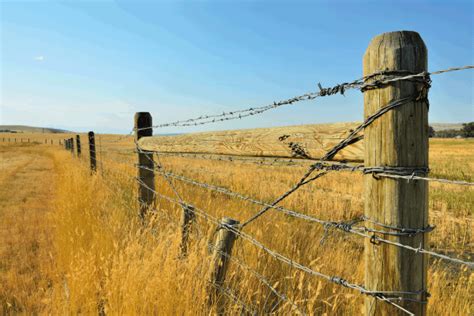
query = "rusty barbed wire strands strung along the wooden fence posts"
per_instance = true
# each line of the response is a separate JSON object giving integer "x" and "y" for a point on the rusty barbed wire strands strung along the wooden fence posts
{"x": 375, "y": 231}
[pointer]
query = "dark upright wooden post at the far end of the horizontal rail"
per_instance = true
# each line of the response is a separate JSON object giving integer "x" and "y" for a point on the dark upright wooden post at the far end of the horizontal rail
{"x": 146, "y": 165}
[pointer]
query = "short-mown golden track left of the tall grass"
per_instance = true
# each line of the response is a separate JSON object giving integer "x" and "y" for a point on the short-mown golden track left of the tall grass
{"x": 26, "y": 185}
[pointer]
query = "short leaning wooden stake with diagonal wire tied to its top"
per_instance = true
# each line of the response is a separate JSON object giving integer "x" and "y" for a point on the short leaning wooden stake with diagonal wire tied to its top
{"x": 220, "y": 263}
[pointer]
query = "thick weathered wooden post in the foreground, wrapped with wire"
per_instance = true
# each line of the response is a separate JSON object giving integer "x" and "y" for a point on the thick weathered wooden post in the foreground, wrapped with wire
{"x": 397, "y": 139}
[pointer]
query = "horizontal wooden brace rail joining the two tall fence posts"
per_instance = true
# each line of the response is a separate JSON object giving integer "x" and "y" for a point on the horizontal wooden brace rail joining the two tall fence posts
{"x": 315, "y": 140}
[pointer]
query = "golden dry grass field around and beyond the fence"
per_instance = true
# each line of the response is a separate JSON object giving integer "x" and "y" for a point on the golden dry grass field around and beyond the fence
{"x": 71, "y": 243}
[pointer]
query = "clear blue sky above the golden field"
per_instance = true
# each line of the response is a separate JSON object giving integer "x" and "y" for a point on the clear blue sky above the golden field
{"x": 90, "y": 65}
